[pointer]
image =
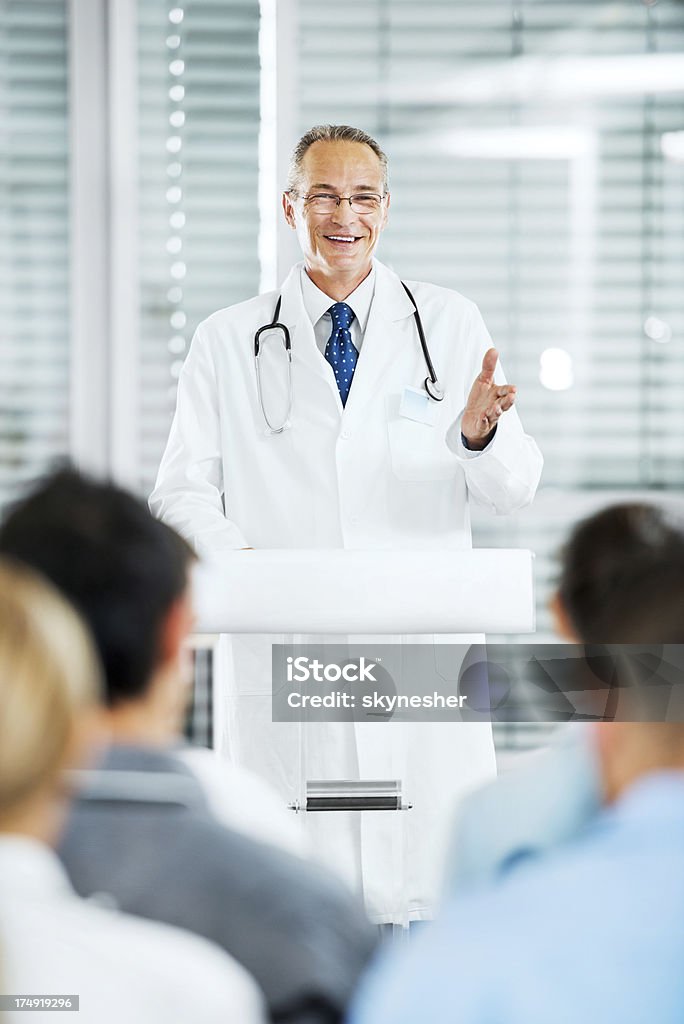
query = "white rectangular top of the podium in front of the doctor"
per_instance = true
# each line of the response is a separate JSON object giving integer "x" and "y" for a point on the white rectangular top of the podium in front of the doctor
{"x": 488, "y": 590}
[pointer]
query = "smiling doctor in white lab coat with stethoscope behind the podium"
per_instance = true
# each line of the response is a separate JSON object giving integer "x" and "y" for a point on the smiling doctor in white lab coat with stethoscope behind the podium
{"x": 366, "y": 460}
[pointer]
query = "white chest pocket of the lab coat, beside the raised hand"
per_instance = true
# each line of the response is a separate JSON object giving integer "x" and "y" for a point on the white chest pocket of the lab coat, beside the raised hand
{"x": 419, "y": 451}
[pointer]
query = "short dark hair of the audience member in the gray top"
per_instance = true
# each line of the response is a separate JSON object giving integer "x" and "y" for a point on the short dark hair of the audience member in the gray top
{"x": 122, "y": 569}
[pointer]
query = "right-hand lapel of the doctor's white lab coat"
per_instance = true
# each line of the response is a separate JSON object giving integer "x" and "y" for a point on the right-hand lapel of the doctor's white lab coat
{"x": 383, "y": 342}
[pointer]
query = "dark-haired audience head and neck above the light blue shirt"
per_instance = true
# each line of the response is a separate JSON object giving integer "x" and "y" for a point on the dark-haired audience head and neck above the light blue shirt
{"x": 623, "y": 583}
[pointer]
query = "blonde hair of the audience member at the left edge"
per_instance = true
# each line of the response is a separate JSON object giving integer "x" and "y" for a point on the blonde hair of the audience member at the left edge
{"x": 49, "y": 673}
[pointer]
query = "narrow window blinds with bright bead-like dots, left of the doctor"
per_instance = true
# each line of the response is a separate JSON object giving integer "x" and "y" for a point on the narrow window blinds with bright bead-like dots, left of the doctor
{"x": 199, "y": 129}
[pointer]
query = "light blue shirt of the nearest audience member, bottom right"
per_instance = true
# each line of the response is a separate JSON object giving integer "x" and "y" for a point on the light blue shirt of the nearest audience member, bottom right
{"x": 594, "y": 934}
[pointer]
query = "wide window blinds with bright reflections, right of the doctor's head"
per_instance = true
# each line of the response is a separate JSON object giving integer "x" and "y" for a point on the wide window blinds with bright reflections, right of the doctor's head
{"x": 528, "y": 172}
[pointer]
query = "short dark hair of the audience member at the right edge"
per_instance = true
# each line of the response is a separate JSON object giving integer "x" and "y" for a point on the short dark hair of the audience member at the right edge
{"x": 623, "y": 576}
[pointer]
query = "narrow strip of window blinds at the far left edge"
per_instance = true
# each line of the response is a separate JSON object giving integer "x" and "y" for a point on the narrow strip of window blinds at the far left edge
{"x": 34, "y": 240}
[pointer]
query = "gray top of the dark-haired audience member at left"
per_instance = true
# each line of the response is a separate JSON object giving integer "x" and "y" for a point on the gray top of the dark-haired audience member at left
{"x": 166, "y": 858}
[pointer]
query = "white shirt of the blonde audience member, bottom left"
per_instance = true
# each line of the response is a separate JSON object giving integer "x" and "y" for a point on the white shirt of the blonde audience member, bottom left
{"x": 122, "y": 968}
